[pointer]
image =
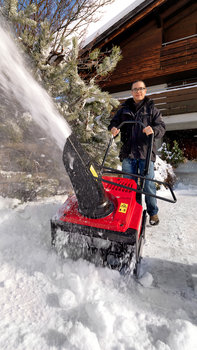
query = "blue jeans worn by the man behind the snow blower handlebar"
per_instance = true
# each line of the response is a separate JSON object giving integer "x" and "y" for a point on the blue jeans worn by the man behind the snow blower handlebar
{"x": 135, "y": 166}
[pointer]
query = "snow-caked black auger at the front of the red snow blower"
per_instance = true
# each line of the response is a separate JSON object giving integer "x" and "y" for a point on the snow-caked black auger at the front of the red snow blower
{"x": 101, "y": 252}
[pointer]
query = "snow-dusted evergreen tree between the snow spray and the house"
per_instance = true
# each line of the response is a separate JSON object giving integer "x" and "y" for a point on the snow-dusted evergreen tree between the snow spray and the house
{"x": 79, "y": 100}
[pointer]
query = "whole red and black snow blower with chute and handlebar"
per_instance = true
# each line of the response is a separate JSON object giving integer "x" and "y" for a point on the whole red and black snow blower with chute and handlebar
{"x": 104, "y": 221}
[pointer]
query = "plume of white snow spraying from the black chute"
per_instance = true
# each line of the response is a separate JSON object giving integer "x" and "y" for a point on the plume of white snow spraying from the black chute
{"x": 16, "y": 81}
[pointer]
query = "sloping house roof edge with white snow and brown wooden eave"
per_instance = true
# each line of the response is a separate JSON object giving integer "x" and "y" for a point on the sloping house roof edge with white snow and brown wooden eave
{"x": 124, "y": 20}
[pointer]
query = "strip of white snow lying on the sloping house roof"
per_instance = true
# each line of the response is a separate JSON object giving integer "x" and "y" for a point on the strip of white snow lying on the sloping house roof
{"x": 113, "y": 20}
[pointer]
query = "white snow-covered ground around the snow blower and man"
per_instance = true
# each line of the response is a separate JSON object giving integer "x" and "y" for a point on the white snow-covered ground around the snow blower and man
{"x": 47, "y": 303}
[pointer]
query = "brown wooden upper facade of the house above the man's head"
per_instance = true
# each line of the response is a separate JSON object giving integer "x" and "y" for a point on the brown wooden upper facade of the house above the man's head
{"x": 148, "y": 56}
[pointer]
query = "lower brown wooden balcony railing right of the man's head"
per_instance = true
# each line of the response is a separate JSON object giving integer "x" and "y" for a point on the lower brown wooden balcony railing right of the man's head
{"x": 176, "y": 101}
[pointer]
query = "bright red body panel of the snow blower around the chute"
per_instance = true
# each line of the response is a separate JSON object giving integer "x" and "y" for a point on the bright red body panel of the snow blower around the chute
{"x": 127, "y": 212}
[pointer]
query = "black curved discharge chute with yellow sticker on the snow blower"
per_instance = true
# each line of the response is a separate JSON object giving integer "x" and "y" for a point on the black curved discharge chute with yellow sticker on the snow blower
{"x": 91, "y": 197}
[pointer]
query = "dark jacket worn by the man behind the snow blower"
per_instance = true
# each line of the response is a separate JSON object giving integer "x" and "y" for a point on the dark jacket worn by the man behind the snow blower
{"x": 134, "y": 141}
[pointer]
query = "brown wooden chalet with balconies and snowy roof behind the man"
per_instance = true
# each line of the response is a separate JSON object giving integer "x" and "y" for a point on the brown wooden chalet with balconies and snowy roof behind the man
{"x": 158, "y": 40}
